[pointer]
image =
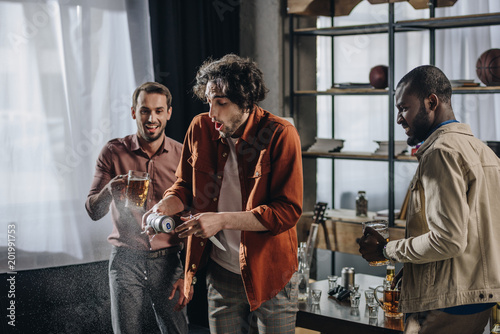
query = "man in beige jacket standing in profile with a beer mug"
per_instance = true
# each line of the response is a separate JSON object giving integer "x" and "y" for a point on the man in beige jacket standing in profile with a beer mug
{"x": 450, "y": 251}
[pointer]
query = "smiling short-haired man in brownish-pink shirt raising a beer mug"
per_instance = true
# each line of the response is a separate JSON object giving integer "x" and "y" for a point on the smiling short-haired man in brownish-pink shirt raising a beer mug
{"x": 145, "y": 271}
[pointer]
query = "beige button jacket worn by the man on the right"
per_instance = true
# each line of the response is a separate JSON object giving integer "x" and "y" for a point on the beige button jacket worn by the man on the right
{"x": 451, "y": 252}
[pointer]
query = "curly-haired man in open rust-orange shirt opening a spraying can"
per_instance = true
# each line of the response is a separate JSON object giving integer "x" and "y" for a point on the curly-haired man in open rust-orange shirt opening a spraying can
{"x": 241, "y": 177}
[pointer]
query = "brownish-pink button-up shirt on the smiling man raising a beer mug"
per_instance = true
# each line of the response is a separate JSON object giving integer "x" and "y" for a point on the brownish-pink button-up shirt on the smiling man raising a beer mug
{"x": 119, "y": 156}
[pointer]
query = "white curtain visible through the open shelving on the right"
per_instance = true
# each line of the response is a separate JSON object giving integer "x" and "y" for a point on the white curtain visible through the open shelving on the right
{"x": 360, "y": 120}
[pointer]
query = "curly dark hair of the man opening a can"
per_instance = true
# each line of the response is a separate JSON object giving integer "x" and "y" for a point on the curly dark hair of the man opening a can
{"x": 237, "y": 78}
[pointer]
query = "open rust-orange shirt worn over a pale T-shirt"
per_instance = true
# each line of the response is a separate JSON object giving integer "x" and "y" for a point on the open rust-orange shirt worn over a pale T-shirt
{"x": 270, "y": 171}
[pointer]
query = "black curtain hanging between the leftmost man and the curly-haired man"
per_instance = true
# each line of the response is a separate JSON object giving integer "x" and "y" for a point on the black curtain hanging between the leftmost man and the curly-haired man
{"x": 184, "y": 34}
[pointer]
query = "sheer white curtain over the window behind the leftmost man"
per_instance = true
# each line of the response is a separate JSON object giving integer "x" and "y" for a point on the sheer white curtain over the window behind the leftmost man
{"x": 68, "y": 70}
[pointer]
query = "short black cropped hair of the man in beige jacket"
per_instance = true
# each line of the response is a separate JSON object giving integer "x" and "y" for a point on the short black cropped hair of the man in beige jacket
{"x": 426, "y": 80}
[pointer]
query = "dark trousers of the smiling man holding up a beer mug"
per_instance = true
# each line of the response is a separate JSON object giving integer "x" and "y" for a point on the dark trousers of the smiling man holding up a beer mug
{"x": 139, "y": 283}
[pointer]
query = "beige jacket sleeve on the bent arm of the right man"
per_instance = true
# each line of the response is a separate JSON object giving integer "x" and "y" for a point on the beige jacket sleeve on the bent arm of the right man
{"x": 438, "y": 229}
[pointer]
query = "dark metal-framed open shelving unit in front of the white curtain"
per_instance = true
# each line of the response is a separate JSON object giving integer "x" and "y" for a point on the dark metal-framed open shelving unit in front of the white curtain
{"x": 391, "y": 28}
